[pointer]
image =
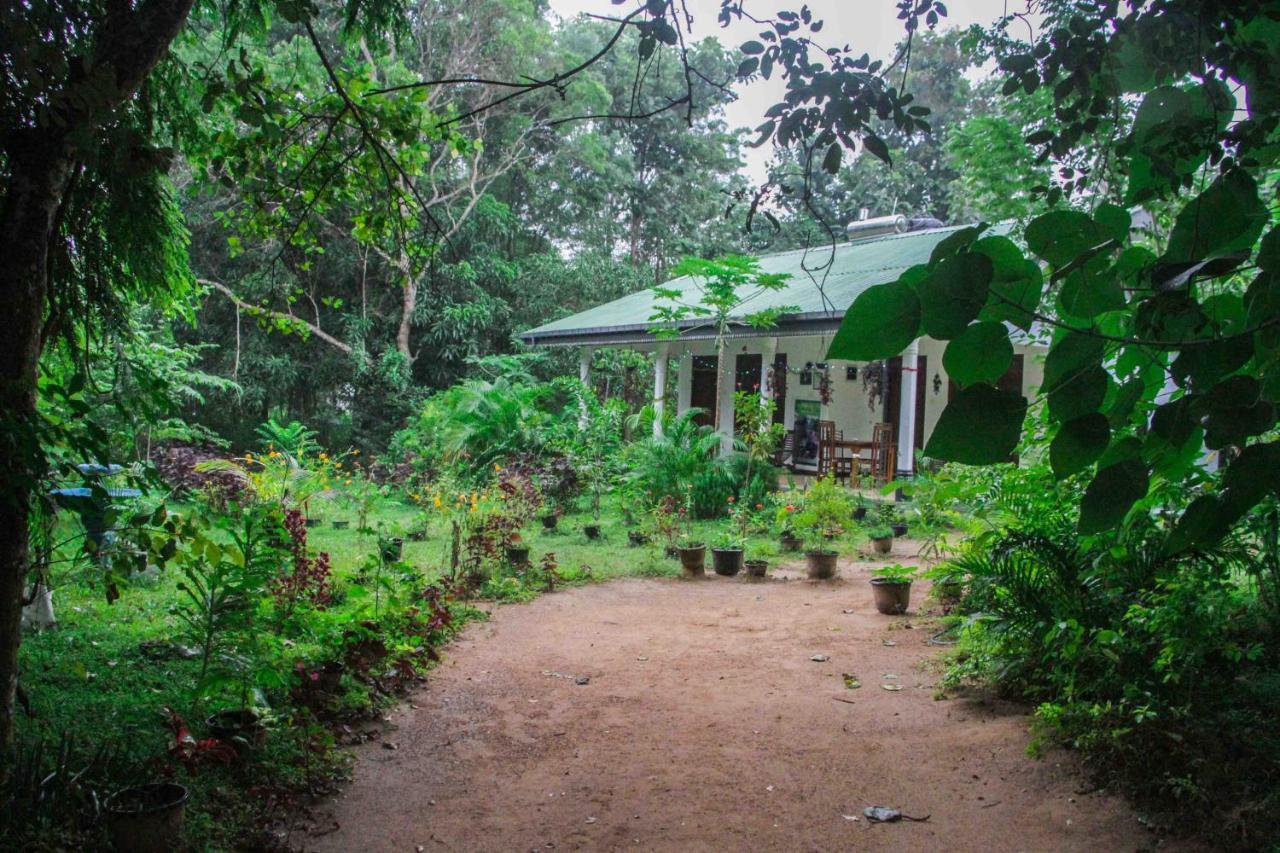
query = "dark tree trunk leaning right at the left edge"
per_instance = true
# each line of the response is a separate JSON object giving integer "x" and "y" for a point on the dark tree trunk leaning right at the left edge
{"x": 127, "y": 44}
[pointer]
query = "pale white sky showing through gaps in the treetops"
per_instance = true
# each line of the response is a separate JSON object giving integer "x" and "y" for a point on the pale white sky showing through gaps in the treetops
{"x": 870, "y": 26}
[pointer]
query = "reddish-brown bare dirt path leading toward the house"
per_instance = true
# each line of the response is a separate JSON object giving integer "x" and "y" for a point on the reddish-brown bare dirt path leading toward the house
{"x": 707, "y": 727}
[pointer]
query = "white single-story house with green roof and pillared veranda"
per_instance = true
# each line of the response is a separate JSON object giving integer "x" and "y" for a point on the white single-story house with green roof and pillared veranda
{"x": 788, "y": 362}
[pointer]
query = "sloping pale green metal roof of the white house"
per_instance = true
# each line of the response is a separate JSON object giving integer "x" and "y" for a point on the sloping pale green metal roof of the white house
{"x": 822, "y": 293}
